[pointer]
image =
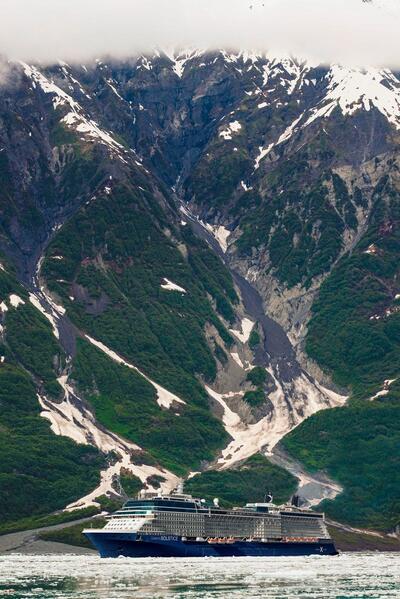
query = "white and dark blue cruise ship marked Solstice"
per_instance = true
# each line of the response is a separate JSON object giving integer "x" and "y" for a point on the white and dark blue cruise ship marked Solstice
{"x": 178, "y": 525}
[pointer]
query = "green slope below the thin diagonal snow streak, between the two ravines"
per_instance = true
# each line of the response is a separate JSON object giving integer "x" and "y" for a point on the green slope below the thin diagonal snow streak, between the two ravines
{"x": 125, "y": 403}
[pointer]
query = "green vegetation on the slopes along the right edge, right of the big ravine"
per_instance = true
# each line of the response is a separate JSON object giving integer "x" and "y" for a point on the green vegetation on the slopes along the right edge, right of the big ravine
{"x": 354, "y": 334}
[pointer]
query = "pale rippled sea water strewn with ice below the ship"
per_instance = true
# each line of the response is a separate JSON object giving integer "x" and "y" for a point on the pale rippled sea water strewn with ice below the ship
{"x": 356, "y": 576}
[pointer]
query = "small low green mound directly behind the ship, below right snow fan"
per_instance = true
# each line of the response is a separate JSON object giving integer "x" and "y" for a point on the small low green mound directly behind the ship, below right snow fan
{"x": 248, "y": 482}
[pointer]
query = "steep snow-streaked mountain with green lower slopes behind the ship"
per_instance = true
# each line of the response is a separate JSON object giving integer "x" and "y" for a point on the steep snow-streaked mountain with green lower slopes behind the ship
{"x": 199, "y": 278}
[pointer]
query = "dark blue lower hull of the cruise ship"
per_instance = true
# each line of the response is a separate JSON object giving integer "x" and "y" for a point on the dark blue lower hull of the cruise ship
{"x": 127, "y": 545}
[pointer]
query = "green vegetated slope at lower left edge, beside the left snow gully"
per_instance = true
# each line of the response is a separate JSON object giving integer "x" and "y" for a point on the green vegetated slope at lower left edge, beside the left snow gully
{"x": 40, "y": 472}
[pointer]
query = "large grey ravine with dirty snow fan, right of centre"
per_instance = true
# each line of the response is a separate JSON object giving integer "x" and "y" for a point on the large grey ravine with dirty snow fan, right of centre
{"x": 297, "y": 394}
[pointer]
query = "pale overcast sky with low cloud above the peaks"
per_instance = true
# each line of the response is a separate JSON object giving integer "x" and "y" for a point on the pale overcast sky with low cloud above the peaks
{"x": 347, "y": 31}
